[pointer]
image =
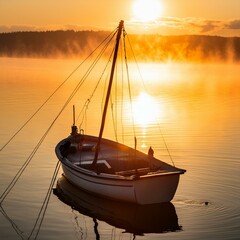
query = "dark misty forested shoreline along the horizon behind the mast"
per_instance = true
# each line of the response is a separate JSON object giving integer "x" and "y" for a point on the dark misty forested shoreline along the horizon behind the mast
{"x": 146, "y": 47}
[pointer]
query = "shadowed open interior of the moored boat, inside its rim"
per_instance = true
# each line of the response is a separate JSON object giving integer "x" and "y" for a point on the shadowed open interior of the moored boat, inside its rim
{"x": 114, "y": 158}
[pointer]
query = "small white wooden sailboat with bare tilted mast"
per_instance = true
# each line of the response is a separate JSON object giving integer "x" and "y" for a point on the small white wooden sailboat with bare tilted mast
{"x": 114, "y": 170}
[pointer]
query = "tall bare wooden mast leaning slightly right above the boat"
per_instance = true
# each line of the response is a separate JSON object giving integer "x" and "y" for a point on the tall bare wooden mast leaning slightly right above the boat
{"x": 108, "y": 93}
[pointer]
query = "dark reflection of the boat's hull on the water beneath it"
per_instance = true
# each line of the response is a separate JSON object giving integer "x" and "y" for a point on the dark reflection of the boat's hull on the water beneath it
{"x": 133, "y": 218}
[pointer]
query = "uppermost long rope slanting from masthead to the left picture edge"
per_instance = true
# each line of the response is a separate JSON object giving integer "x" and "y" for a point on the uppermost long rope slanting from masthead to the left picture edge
{"x": 54, "y": 92}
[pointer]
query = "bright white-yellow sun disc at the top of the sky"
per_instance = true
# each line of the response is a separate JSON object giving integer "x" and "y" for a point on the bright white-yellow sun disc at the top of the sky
{"x": 147, "y": 10}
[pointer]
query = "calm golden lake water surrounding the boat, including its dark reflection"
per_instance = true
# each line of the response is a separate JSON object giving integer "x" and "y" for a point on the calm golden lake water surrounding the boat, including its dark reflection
{"x": 197, "y": 107}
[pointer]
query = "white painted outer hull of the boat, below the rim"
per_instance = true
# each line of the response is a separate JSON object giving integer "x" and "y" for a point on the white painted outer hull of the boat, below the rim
{"x": 144, "y": 189}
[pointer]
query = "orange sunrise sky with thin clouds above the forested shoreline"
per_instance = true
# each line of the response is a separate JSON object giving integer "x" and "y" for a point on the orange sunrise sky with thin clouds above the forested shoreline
{"x": 165, "y": 17}
